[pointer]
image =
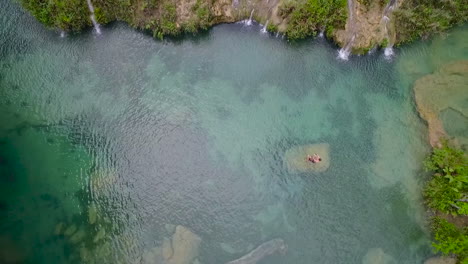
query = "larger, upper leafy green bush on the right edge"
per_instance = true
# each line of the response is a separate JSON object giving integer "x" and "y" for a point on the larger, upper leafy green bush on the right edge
{"x": 449, "y": 184}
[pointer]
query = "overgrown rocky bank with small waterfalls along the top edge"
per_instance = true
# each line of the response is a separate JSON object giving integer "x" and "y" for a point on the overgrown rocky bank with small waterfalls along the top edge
{"x": 355, "y": 25}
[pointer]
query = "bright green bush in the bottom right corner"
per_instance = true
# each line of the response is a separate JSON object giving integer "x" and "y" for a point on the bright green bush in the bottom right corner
{"x": 450, "y": 239}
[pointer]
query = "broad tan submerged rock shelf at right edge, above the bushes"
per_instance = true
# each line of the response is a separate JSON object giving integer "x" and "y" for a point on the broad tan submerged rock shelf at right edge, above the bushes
{"x": 443, "y": 90}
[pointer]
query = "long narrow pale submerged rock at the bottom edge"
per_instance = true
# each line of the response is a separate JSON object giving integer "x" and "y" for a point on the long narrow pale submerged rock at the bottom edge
{"x": 265, "y": 249}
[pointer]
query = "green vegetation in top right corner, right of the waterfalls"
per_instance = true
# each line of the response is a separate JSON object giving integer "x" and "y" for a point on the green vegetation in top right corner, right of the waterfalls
{"x": 419, "y": 18}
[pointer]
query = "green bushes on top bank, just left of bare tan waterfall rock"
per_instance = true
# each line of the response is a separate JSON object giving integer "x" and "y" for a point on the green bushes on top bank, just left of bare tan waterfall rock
{"x": 306, "y": 18}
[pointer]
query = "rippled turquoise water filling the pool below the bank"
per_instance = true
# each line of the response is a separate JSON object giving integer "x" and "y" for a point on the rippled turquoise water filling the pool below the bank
{"x": 193, "y": 132}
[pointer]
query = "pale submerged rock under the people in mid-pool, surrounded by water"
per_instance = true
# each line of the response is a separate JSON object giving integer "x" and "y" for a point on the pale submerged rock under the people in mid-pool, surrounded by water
{"x": 296, "y": 158}
